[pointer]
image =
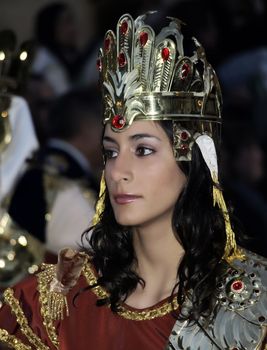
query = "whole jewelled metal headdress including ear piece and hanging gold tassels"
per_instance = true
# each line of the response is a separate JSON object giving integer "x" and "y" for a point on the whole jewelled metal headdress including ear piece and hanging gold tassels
{"x": 148, "y": 76}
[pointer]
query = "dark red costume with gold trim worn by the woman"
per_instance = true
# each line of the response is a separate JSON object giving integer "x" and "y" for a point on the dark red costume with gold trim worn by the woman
{"x": 88, "y": 326}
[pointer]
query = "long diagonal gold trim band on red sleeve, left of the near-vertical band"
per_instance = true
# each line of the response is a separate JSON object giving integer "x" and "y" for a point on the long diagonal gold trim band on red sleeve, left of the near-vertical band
{"x": 22, "y": 320}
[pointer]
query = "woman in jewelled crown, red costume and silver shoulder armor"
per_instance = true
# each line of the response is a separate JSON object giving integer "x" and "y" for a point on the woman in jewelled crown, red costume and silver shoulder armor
{"x": 163, "y": 270}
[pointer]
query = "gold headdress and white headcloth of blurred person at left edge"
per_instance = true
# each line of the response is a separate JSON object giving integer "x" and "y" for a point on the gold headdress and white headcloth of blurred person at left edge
{"x": 17, "y": 135}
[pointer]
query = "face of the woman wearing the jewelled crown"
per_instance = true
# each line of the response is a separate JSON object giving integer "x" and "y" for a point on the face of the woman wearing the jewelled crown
{"x": 142, "y": 177}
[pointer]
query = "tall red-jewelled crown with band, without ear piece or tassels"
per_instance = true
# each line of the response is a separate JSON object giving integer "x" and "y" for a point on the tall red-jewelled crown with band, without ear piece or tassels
{"x": 148, "y": 77}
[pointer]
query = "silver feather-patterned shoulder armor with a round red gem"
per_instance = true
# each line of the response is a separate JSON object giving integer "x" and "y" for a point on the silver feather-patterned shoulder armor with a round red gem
{"x": 239, "y": 318}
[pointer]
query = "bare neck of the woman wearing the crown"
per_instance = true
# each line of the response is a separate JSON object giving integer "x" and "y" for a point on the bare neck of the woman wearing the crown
{"x": 158, "y": 256}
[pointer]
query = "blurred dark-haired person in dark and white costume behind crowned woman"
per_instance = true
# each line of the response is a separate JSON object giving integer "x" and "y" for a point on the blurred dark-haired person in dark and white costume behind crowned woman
{"x": 55, "y": 197}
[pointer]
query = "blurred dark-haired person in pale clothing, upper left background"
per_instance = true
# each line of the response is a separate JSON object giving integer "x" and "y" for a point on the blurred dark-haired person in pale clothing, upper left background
{"x": 58, "y": 57}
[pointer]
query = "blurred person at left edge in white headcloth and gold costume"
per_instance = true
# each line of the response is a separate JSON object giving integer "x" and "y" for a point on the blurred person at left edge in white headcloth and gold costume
{"x": 20, "y": 253}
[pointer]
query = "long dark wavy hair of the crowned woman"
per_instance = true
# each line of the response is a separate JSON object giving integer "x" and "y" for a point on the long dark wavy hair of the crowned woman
{"x": 199, "y": 228}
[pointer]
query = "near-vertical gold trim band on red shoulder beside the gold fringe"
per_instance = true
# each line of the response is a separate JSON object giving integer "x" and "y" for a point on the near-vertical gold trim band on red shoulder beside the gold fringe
{"x": 44, "y": 279}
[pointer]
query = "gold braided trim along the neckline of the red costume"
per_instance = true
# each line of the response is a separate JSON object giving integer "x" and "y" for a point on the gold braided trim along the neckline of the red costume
{"x": 149, "y": 314}
